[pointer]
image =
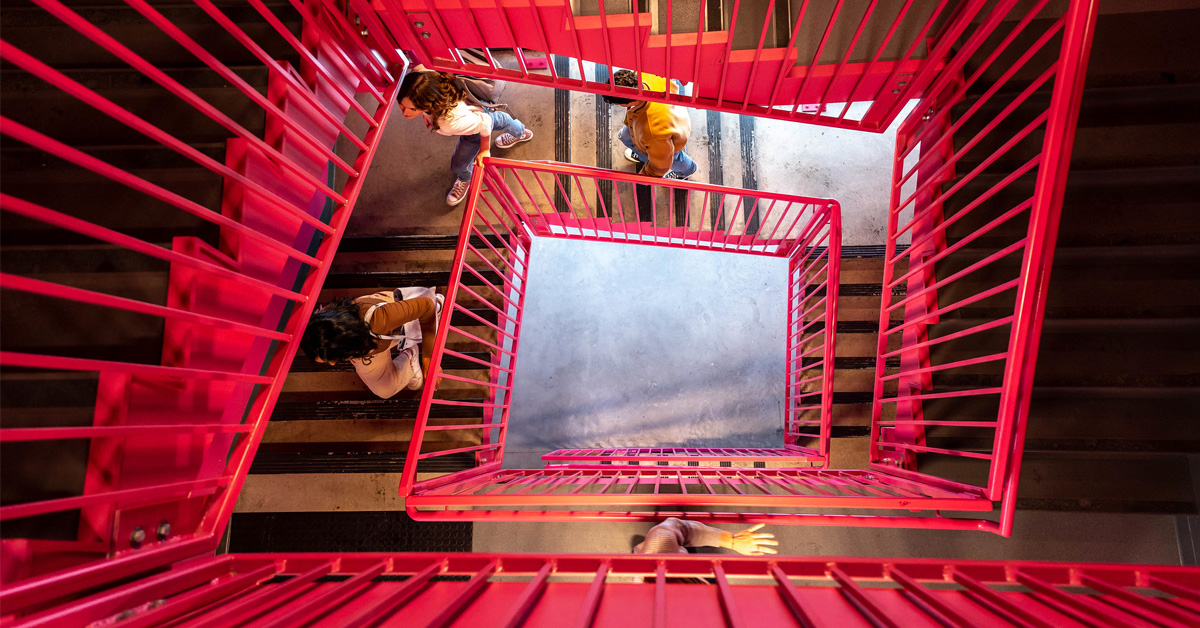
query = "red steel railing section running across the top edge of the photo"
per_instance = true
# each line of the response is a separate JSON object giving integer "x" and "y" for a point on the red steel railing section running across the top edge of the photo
{"x": 896, "y": 53}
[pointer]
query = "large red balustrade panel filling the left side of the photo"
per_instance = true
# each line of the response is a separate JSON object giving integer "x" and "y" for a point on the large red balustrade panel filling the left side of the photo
{"x": 171, "y": 439}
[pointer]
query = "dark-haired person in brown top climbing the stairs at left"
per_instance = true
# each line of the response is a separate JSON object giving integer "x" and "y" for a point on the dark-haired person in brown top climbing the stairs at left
{"x": 365, "y": 331}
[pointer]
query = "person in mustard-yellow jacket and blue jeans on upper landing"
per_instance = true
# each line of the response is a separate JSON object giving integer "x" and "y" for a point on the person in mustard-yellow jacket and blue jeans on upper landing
{"x": 655, "y": 134}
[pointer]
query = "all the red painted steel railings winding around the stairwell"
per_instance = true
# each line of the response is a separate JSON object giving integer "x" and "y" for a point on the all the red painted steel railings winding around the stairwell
{"x": 266, "y": 246}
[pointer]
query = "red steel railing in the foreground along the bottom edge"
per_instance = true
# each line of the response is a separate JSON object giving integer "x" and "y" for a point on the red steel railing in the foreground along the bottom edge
{"x": 699, "y": 591}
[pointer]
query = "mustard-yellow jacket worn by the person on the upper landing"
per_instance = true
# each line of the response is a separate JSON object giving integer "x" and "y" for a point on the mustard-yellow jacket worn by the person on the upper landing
{"x": 658, "y": 130}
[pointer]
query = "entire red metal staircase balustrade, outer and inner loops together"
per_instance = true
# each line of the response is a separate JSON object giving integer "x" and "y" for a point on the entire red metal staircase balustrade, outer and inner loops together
{"x": 169, "y": 441}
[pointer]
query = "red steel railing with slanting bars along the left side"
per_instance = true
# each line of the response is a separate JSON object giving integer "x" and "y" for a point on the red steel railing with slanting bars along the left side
{"x": 171, "y": 444}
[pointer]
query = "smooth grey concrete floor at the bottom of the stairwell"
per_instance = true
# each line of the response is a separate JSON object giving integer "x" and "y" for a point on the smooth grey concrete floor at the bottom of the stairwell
{"x": 643, "y": 346}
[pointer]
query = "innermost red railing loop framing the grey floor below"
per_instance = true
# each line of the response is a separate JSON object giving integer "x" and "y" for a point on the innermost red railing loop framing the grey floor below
{"x": 513, "y": 204}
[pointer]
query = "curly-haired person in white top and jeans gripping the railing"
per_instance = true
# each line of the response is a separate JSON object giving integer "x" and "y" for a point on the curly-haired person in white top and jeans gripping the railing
{"x": 448, "y": 110}
